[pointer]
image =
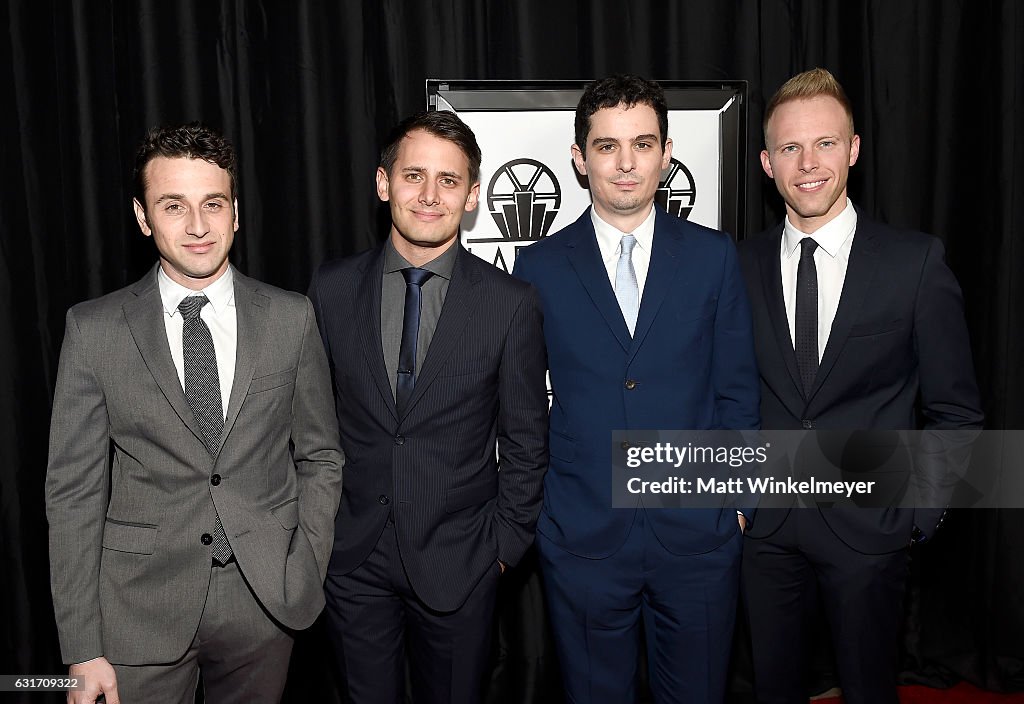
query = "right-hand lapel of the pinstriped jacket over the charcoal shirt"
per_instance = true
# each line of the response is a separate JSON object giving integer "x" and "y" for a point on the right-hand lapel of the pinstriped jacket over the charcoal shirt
{"x": 460, "y": 302}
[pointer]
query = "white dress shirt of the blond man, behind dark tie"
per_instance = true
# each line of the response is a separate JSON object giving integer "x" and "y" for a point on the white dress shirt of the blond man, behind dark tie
{"x": 835, "y": 241}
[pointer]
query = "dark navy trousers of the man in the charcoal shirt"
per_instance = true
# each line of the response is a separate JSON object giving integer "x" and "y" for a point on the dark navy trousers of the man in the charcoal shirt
{"x": 373, "y": 613}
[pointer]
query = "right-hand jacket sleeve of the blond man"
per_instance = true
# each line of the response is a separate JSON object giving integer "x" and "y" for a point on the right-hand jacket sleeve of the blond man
{"x": 950, "y": 400}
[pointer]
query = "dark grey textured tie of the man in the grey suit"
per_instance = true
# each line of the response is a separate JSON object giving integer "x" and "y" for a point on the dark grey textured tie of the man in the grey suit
{"x": 203, "y": 393}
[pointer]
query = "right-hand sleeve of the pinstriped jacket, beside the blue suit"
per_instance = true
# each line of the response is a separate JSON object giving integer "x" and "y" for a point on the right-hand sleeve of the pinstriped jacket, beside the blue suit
{"x": 523, "y": 431}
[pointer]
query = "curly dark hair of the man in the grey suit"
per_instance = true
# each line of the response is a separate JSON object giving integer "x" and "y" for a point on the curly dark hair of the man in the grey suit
{"x": 194, "y": 141}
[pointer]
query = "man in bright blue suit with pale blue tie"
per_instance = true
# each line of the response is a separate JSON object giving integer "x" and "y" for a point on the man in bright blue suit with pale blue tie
{"x": 648, "y": 327}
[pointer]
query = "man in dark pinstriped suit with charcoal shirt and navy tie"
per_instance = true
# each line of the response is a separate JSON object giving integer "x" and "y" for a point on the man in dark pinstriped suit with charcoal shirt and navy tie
{"x": 436, "y": 357}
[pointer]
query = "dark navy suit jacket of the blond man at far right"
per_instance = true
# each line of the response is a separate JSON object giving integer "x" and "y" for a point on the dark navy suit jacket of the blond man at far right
{"x": 899, "y": 346}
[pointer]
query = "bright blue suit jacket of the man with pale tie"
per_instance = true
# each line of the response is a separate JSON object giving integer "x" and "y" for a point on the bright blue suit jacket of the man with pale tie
{"x": 692, "y": 363}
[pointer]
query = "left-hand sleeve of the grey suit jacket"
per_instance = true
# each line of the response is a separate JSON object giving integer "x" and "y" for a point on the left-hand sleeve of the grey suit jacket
{"x": 77, "y": 492}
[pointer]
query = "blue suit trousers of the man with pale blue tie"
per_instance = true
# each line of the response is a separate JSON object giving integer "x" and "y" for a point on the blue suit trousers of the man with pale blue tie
{"x": 689, "y": 607}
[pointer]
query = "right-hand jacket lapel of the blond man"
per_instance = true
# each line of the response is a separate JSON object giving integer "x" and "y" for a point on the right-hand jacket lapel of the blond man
{"x": 859, "y": 282}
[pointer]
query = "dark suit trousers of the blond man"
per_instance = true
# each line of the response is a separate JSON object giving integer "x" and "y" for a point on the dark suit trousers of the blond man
{"x": 787, "y": 576}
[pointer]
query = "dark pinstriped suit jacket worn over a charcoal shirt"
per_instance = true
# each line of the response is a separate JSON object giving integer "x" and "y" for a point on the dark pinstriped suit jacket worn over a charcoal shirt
{"x": 435, "y": 467}
